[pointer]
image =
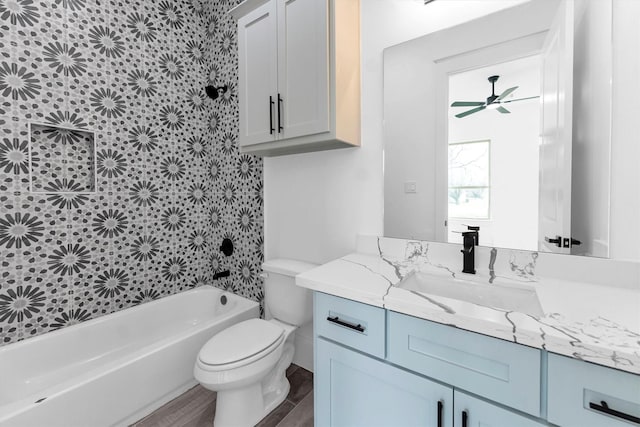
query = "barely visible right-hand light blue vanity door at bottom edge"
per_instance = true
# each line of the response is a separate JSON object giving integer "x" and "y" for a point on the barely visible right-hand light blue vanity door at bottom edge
{"x": 472, "y": 412}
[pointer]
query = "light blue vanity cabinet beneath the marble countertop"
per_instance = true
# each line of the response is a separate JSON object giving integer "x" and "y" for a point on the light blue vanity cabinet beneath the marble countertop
{"x": 375, "y": 367}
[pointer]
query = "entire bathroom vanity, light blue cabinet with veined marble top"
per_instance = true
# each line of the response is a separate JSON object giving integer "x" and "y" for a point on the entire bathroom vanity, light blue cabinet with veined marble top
{"x": 390, "y": 355}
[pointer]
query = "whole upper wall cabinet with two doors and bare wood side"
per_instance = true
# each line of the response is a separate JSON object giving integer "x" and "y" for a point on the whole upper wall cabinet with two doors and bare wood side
{"x": 299, "y": 75}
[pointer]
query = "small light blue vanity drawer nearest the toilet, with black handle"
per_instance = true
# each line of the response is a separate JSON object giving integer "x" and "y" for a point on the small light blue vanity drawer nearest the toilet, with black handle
{"x": 356, "y": 325}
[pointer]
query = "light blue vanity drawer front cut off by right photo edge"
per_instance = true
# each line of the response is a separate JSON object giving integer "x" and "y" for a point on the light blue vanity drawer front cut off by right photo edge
{"x": 575, "y": 386}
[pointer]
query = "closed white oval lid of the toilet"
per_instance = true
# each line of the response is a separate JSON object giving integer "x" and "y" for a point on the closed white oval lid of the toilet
{"x": 243, "y": 340}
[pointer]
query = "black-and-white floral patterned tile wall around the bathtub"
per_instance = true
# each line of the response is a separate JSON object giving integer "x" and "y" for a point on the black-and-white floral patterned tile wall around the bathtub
{"x": 171, "y": 183}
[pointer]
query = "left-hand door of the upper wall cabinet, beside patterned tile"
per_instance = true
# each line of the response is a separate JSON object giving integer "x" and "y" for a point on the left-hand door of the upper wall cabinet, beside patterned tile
{"x": 258, "y": 75}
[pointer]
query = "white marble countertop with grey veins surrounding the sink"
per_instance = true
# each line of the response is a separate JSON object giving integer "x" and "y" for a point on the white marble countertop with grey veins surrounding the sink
{"x": 590, "y": 322}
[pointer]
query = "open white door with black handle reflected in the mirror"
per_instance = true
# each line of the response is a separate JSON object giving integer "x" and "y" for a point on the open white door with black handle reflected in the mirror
{"x": 556, "y": 133}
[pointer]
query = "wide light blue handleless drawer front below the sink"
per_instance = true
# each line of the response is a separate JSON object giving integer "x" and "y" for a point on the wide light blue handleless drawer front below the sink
{"x": 495, "y": 369}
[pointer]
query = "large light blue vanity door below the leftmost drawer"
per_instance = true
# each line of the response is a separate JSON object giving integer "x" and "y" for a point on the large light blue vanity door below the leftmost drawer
{"x": 353, "y": 390}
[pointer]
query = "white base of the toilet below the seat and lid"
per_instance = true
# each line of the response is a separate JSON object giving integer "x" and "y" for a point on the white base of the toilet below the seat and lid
{"x": 246, "y": 406}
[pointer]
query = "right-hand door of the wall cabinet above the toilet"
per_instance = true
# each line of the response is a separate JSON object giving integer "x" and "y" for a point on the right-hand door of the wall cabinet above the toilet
{"x": 303, "y": 67}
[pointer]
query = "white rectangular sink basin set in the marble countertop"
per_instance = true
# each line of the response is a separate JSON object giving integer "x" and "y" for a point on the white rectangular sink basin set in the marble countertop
{"x": 503, "y": 296}
